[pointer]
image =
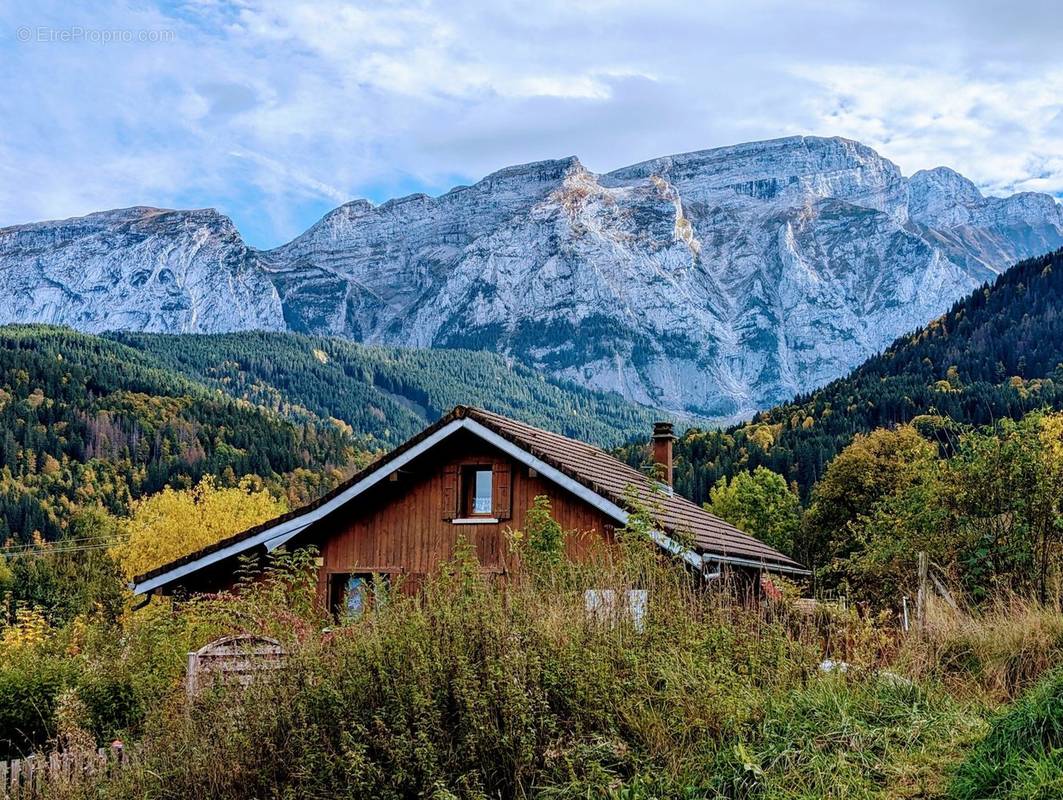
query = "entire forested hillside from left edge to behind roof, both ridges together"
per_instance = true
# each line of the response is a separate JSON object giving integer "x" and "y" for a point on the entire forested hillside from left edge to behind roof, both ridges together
{"x": 100, "y": 421}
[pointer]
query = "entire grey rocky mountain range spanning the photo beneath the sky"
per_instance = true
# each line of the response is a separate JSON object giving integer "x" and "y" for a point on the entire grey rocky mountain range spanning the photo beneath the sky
{"x": 713, "y": 283}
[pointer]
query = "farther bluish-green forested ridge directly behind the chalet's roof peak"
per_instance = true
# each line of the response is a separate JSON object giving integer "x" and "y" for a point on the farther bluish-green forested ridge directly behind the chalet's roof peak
{"x": 390, "y": 394}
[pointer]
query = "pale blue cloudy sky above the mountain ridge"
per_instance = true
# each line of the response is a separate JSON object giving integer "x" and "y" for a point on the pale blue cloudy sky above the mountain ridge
{"x": 277, "y": 111}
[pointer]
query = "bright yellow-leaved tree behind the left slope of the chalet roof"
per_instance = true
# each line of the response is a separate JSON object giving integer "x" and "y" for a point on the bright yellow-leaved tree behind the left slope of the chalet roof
{"x": 175, "y": 523}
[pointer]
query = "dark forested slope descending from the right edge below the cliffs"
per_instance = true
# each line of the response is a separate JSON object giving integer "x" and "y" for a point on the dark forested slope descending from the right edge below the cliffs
{"x": 998, "y": 354}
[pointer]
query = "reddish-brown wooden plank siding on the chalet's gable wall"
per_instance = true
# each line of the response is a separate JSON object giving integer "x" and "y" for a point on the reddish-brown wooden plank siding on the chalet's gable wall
{"x": 407, "y": 526}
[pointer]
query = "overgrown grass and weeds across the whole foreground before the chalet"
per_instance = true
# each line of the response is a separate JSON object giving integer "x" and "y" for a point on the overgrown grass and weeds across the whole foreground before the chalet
{"x": 476, "y": 691}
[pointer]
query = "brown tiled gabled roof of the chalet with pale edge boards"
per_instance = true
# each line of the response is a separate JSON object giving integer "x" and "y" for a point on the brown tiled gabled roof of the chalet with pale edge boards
{"x": 588, "y": 472}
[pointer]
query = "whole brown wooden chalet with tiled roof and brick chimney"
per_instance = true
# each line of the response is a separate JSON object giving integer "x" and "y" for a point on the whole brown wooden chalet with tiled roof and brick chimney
{"x": 473, "y": 474}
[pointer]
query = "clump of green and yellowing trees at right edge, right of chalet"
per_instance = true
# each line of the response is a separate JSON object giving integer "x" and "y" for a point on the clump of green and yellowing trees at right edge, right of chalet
{"x": 989, "y": 516}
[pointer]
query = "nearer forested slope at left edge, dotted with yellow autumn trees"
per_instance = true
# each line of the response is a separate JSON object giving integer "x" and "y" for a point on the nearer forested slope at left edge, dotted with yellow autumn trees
{"x": 89, "y": 422}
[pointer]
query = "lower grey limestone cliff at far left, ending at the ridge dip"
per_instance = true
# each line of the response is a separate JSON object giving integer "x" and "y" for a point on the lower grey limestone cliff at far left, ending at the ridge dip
{"x": 137, "y": 269}
